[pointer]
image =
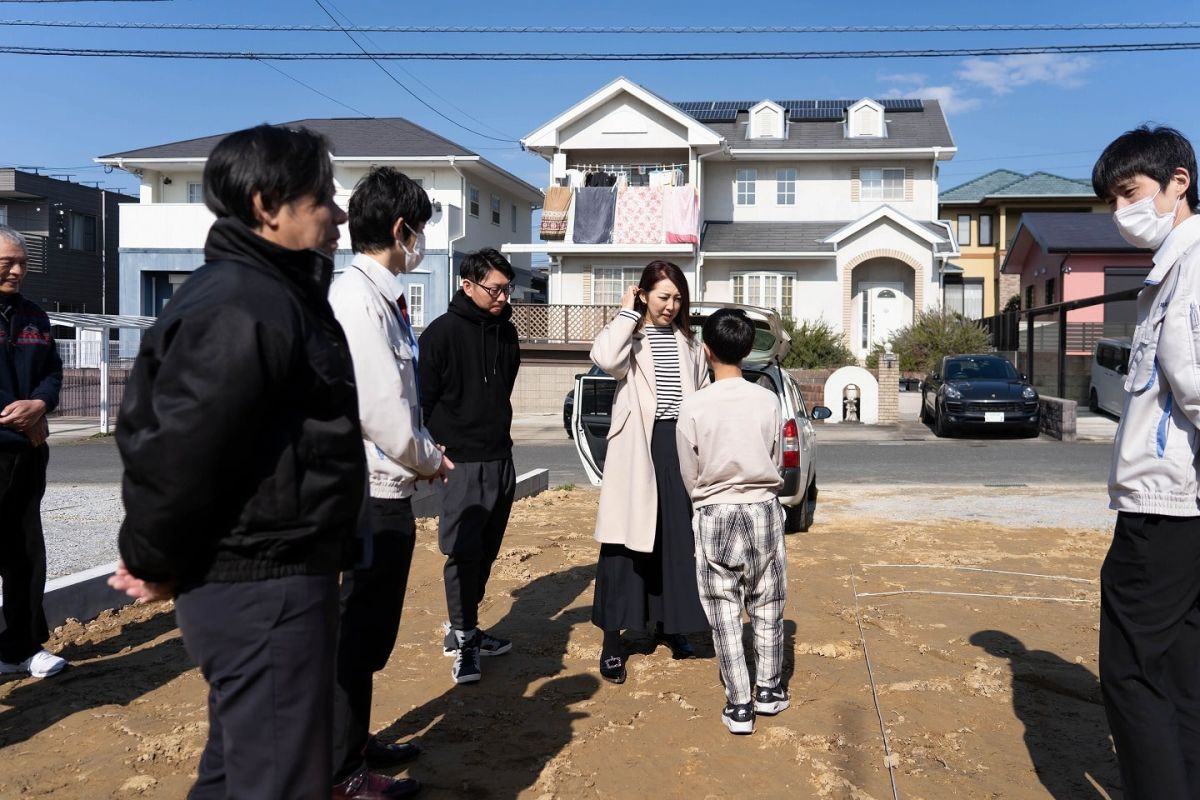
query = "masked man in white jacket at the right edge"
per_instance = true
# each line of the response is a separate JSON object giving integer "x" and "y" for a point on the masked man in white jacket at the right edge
{"x": 1150, "y": 584}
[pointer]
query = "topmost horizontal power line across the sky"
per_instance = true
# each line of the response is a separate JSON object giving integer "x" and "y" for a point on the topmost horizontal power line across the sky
{"x": 592, "y": 29}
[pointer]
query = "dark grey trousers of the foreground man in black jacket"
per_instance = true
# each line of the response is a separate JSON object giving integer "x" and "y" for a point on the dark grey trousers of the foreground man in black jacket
{"x": 267, "y": 651}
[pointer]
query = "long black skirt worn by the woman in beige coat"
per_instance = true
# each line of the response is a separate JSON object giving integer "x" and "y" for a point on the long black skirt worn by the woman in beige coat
{"x": 639, "y": 591}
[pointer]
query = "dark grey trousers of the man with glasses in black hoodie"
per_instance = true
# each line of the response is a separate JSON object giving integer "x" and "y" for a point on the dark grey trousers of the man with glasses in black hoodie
{"x": 476, "y": 506}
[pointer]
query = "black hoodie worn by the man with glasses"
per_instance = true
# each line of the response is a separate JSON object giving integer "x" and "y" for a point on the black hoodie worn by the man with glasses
{"x": 469, "y": 362}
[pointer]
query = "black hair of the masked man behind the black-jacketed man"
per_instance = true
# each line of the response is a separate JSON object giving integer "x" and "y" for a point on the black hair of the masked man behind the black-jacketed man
{"x": 381, "y": 197}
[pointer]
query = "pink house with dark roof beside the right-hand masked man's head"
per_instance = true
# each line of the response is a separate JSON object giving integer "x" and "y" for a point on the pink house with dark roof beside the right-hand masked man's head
{"x": 1071, "y": 256}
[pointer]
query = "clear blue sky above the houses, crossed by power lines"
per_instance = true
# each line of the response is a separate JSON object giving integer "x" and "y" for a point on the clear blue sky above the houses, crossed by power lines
{"x": 1025, "y": 113}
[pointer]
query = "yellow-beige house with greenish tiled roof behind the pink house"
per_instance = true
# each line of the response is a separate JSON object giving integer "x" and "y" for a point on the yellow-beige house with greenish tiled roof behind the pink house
{"x": 985, "y": 214}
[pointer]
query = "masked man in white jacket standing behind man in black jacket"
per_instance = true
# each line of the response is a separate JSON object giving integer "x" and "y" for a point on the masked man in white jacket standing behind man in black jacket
{"x": 388, "y": 216}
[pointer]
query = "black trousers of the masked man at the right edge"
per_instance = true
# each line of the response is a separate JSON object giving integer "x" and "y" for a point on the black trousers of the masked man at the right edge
{"x": 1150, "y": 654}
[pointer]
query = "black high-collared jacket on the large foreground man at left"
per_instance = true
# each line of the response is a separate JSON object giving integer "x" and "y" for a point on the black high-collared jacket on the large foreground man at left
{"x": 239, "y": 429}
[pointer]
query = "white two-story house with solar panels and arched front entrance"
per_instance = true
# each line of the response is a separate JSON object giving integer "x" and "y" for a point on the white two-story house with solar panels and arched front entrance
{"x": 815, "y": 208}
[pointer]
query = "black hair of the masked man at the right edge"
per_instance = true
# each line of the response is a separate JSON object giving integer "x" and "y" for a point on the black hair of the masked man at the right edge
{"x": 1153, "y": 152}
